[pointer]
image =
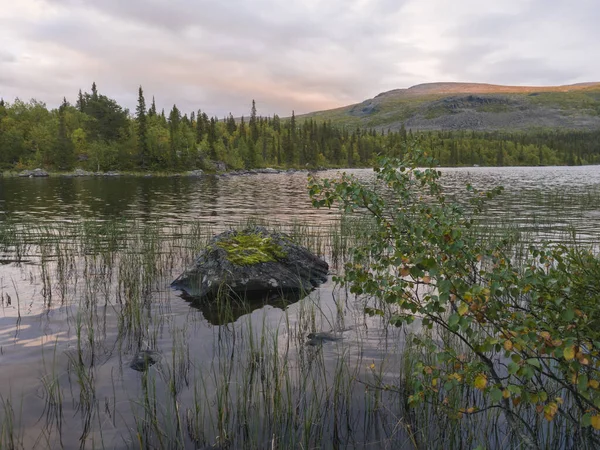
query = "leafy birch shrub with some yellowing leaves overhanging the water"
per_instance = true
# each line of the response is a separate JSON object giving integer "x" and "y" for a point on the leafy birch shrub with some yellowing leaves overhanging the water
{"x": 522, "y": 334}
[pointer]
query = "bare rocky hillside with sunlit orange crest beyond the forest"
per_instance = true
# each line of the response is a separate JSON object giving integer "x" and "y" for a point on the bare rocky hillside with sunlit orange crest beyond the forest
{"x": 474, "y": 106}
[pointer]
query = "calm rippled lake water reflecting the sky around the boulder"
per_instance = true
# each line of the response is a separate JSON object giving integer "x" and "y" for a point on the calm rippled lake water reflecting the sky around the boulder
{"x": 65, "y": 307}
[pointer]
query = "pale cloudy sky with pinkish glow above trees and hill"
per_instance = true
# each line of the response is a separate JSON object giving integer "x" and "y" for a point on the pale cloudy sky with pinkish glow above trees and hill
{"x": 301, "y": 55}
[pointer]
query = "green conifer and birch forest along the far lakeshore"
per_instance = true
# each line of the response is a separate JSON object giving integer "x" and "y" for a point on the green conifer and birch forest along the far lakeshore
{"x": 98, "y": 134}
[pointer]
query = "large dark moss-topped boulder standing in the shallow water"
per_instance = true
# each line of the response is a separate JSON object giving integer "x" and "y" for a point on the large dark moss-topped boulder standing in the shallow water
{"x": 252, "y": 263}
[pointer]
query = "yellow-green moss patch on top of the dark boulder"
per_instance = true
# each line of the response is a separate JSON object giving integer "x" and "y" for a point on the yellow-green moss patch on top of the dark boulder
{"x": 245, "y": 249}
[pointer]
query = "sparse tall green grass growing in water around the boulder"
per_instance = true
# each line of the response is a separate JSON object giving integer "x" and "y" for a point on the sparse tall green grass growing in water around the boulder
{"x": 254, "y": 382}
